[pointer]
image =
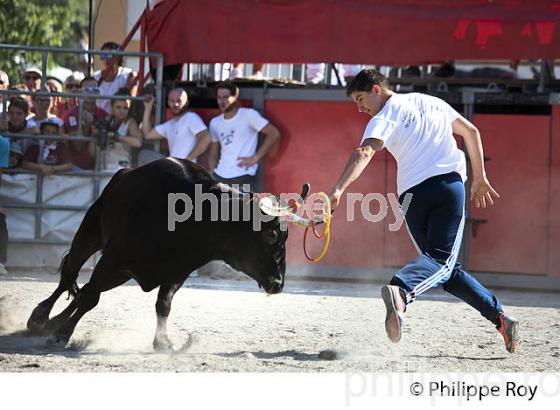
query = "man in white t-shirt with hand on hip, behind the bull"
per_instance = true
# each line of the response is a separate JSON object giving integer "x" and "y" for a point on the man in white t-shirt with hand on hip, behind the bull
{"x": 234, "y": 156}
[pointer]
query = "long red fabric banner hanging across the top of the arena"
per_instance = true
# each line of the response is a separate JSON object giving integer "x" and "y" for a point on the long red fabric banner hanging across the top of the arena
{"x": 385, "y": 32}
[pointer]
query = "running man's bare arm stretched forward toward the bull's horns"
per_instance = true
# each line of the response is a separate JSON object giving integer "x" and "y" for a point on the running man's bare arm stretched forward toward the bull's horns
{"x": 356, "y": 164}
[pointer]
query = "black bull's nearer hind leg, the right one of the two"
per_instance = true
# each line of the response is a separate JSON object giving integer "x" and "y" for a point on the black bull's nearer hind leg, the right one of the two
{"x": 104, "y": 277}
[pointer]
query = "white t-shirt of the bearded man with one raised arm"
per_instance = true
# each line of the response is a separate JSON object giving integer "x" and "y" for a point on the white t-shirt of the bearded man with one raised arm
{"x": 181, "y": 133}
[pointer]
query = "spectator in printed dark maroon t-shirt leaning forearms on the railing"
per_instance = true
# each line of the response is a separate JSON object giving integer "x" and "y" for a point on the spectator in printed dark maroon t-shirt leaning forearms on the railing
{"x": 54, "y": 157}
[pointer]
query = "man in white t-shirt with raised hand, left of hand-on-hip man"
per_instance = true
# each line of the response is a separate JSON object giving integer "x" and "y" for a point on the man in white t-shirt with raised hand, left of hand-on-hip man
{"x": 186, "y": 133}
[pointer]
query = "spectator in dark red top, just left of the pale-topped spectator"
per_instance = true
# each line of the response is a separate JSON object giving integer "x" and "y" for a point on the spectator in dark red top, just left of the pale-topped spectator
{"x": 83, "y": 153}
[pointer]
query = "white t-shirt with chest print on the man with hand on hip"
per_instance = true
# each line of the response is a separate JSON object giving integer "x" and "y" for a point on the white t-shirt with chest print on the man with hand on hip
{"x": 238, "y": 137}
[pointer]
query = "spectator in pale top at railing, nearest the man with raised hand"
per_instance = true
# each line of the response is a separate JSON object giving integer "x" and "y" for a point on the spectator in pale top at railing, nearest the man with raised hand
{"x": 122, "y": 134}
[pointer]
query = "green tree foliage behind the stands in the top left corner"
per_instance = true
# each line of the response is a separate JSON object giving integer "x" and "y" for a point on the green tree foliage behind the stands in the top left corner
{"x": 47, "y": 23}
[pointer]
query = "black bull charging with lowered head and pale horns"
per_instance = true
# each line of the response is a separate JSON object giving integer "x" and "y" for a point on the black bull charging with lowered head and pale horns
{"x": 129, "y": 224}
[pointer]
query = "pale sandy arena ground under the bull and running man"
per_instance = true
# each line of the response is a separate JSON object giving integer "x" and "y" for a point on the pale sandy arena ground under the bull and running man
{"x": 234, "y": 327}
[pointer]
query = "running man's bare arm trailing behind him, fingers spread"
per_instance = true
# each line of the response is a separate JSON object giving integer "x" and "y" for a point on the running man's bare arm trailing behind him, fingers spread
{"x": 481, "y": 191}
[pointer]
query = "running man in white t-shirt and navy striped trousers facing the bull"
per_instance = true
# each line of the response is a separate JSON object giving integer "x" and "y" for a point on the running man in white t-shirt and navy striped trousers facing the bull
{"x": 418, "y": 131}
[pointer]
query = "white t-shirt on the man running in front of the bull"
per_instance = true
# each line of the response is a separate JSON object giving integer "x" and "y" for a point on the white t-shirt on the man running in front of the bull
{"x": 416, "y": 129}
